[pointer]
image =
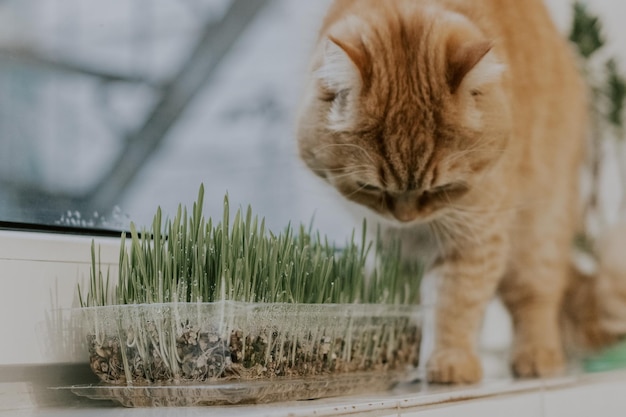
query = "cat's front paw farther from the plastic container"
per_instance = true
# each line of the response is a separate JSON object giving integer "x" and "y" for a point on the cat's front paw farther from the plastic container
{"x": 537, "y": 361}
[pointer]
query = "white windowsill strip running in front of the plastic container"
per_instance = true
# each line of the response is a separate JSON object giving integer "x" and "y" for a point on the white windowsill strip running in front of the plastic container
{"x": 582, "y": 396}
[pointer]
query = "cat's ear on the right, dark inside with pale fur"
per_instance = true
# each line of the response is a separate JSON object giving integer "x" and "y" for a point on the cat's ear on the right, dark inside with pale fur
{"x": 473, "y": 63}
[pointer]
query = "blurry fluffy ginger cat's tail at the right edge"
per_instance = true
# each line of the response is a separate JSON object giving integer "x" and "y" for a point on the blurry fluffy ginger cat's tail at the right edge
{"x": 595, "y": 304}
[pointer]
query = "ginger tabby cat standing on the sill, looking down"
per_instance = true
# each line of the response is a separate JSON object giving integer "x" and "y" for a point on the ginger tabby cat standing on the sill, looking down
{"x": 462, "y": 124}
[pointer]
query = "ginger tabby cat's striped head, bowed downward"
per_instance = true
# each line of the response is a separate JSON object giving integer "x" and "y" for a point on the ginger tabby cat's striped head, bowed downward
{"x": 404, "y": 117}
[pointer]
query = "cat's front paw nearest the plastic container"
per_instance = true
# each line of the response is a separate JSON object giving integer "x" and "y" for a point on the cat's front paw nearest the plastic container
{"x": 454, "y": 366}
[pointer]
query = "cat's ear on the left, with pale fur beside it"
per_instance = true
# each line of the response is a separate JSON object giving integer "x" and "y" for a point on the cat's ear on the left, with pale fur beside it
{"x": 345, "y": 63}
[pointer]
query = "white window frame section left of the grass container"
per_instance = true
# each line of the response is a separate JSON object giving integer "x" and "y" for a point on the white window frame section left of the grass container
{"x": 38, "y": 277}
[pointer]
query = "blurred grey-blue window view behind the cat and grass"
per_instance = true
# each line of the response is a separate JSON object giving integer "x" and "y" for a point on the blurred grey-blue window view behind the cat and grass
{"x": 110, "y": 109}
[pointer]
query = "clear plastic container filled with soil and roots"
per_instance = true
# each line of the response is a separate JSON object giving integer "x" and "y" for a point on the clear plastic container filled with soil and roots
{"x": 228, "y": 352}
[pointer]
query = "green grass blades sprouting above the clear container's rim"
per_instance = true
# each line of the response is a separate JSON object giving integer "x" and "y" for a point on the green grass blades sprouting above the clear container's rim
{"x": 190, "y": 259}
